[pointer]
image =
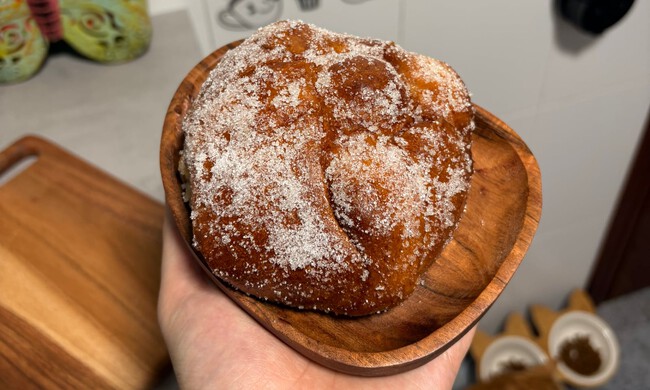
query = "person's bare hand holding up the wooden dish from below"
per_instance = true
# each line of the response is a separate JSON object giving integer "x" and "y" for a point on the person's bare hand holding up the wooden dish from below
{"x": 215, "y": 344}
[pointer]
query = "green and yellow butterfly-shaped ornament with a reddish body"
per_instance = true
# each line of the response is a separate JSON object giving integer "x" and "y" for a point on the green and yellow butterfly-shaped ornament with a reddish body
{"x": 102, "y": 30}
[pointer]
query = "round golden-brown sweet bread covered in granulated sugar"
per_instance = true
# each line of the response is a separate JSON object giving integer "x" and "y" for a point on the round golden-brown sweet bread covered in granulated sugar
{"x": 326, "y": 171}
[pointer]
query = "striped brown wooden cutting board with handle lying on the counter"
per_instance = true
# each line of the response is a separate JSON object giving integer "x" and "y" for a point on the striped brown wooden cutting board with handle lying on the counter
{"x": 79, "y": 276}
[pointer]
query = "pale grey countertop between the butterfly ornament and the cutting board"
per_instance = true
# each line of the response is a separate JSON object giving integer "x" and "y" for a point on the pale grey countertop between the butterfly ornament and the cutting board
{"x": 110, "y": 115}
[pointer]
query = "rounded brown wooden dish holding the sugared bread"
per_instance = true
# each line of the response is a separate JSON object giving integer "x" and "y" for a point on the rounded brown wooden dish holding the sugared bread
{"x": 502, "y": 214}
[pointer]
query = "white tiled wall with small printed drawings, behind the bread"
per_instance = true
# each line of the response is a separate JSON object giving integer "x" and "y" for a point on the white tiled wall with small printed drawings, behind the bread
{"x": 579, "y": 102}
